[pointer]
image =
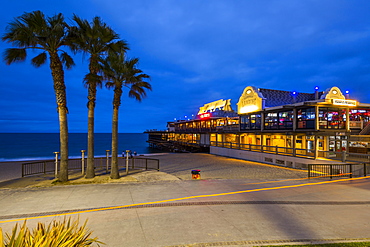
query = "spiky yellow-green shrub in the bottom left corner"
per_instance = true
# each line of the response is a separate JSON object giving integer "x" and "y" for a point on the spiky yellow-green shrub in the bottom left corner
{"x": 56, "y": 234}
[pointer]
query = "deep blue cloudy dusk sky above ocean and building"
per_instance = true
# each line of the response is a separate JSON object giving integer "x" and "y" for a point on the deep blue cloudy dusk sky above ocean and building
{"x": 196, "y": 52}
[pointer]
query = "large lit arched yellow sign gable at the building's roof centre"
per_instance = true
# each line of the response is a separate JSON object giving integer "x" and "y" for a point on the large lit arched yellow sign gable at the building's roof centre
{"x": 250, "y": 101}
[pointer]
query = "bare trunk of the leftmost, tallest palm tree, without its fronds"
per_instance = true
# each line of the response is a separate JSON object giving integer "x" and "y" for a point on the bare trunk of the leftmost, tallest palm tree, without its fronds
{"x": 61, "y": 98}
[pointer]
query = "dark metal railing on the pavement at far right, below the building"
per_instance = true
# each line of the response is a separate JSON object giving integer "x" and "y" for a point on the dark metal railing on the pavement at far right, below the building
{"x": 337, "y": 170}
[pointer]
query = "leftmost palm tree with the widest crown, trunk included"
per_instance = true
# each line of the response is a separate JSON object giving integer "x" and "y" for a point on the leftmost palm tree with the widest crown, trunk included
{"x": 35, "y": 31}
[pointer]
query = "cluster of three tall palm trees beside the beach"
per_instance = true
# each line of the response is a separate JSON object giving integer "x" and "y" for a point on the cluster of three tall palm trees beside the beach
{"x": 108, "y": 64}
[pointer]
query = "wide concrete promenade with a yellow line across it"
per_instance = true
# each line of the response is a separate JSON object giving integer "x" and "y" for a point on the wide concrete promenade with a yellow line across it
{"x": 236, "y": 203}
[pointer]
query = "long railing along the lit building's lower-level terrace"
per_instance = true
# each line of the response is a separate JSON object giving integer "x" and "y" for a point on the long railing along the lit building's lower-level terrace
{"x": 296, "y": 152}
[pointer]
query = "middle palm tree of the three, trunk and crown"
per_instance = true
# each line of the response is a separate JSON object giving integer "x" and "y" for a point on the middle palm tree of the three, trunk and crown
{"x": 95, "y": 39}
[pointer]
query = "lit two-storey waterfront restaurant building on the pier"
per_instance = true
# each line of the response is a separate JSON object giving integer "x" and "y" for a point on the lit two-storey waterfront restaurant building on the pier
{"x": 275, "y": 126}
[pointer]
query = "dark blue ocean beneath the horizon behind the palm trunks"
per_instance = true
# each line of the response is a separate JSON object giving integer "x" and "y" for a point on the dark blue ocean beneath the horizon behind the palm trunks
{"x": 35, "y": 146}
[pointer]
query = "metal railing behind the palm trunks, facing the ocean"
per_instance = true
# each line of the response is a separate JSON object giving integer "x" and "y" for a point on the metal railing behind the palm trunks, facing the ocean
{"x": 48, "y": 166}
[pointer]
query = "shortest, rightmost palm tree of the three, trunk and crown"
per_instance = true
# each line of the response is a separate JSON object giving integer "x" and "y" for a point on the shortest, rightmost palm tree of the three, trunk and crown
{"x": 120, "y": 73}
